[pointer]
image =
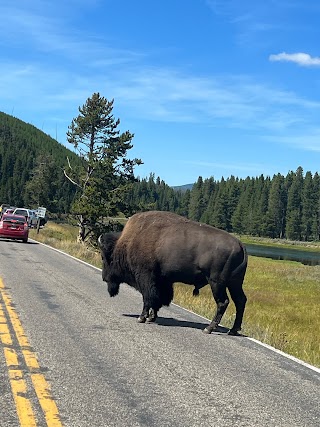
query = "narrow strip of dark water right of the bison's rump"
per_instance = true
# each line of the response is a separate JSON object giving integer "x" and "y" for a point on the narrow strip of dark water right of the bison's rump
{"x": 305, "y": 257}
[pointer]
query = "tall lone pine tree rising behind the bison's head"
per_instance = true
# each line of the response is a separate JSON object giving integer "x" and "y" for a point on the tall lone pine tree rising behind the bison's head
{"x": 106, "y": 172}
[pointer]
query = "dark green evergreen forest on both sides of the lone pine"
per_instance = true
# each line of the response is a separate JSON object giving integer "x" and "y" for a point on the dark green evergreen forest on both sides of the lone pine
{"x": 286, "y": 207}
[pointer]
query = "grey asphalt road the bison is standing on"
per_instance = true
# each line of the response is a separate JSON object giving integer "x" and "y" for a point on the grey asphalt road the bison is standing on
{"x": 106, "y": 370}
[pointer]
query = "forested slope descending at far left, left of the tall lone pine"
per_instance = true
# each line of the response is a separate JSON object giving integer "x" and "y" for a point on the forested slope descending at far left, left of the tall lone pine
{"x": 31, "y": 167}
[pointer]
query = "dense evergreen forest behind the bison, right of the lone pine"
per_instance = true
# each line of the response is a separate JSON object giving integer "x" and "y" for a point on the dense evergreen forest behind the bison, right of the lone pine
{"x": 278, "y": 207}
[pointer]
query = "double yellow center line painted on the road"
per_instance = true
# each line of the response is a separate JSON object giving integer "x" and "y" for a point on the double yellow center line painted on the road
{"x": 17, "y": 381}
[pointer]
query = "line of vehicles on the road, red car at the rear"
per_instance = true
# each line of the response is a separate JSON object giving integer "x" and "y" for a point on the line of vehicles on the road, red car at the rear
{"x": 16, "y": 222}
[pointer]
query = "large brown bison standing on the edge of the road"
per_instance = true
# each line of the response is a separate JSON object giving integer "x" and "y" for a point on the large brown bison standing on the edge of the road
{"x": 157, "y": 249}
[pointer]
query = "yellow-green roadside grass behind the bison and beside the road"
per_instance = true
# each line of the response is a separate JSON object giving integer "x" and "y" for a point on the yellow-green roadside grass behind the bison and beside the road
{"x": 283, "y": 308}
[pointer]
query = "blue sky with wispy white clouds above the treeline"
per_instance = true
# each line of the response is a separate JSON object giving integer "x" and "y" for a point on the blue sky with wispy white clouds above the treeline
{"x": 208, "y": 87}
